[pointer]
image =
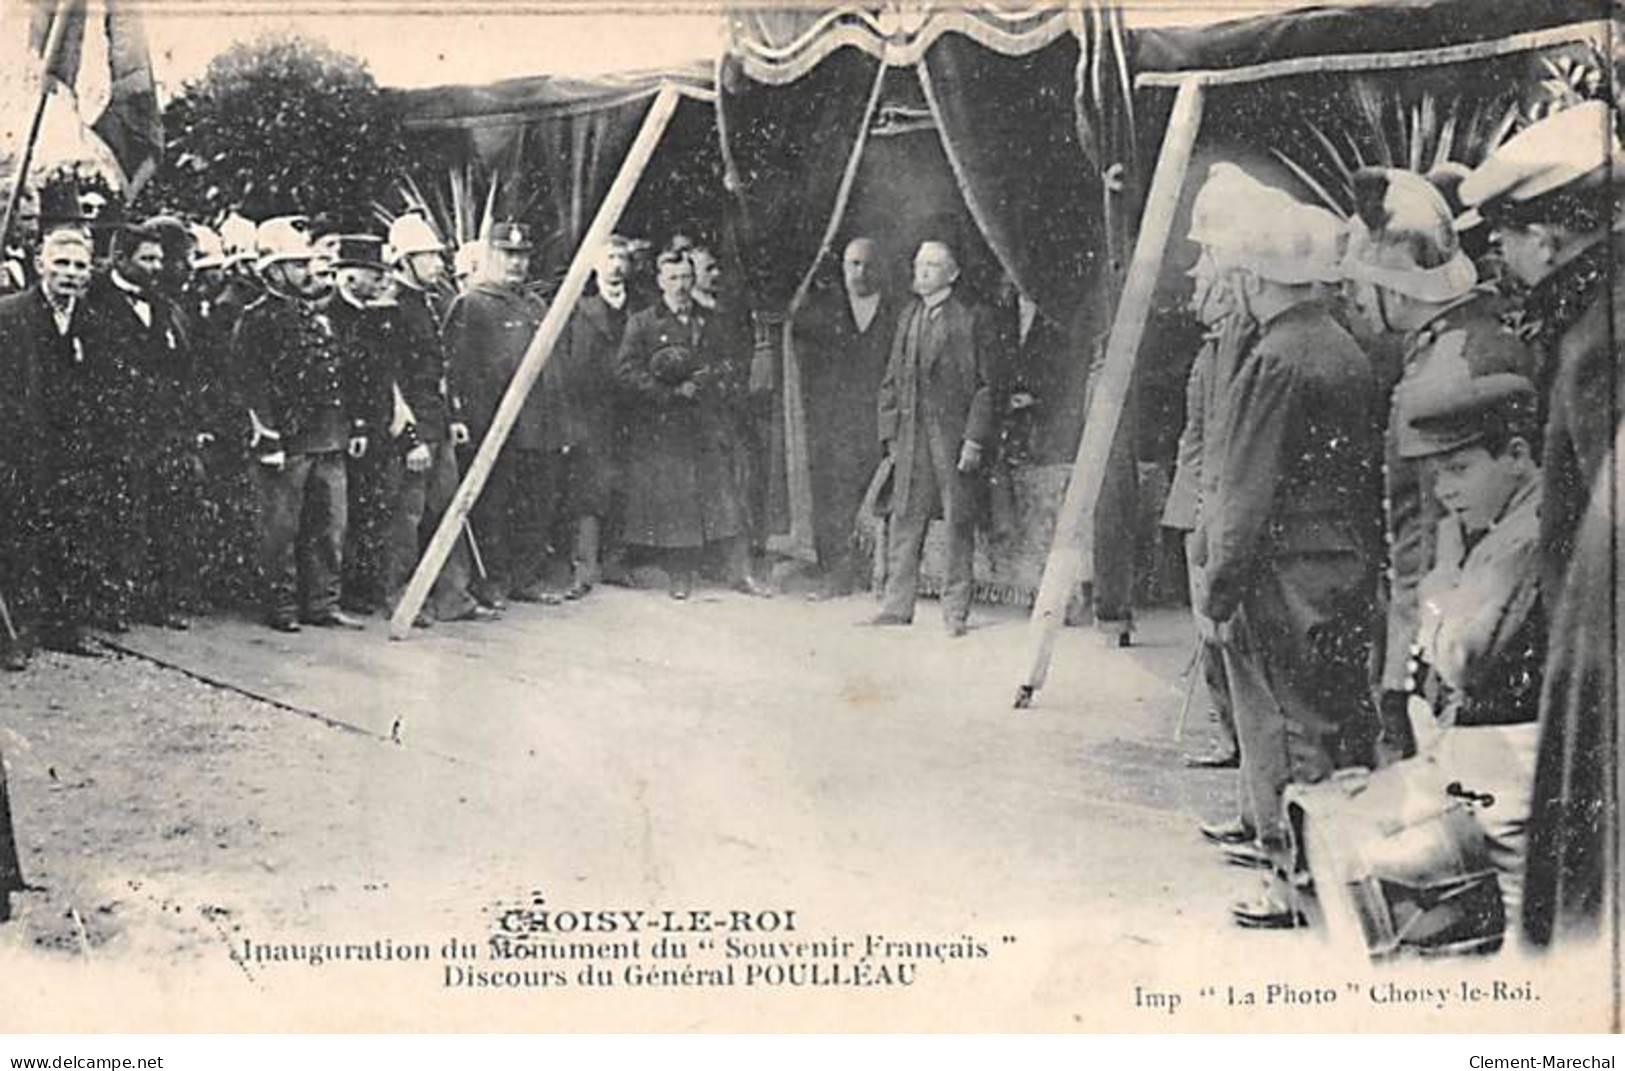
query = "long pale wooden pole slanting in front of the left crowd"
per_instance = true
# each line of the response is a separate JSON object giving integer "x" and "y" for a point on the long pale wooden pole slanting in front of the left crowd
{"x": 535, "y": 358}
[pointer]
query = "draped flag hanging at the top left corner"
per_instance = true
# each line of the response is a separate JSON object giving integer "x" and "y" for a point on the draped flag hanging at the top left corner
{"x": 103, "y": 64}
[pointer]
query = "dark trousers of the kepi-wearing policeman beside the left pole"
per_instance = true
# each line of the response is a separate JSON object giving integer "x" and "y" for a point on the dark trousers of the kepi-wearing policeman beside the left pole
{"x": 511, "y": 522}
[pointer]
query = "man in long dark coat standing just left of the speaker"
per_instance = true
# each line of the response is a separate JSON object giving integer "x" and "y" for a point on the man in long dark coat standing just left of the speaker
{"x": 844, "y": 344}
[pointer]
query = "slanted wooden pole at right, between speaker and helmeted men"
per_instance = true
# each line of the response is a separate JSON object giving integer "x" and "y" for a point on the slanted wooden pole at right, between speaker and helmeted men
{"x": 1072, "y": 552}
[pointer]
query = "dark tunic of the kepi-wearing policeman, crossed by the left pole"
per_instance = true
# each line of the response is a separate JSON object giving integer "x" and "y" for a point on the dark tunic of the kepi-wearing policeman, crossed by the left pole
{"x": 487, "y": 334}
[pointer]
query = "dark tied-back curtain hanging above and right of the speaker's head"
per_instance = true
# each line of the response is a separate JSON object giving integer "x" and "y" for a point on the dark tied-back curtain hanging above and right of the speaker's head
{"x": 1010, "y": 131}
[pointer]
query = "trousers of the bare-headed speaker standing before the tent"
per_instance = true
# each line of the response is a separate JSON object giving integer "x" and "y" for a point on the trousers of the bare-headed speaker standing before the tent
{"x": 909, "y": 526}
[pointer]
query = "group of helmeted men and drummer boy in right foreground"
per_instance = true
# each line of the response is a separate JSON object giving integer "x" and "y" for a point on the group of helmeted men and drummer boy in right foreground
{"x": 1393, "y": 435}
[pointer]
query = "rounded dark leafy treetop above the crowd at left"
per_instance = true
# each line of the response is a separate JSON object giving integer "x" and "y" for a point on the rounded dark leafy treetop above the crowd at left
{"x": 280, "y": 124}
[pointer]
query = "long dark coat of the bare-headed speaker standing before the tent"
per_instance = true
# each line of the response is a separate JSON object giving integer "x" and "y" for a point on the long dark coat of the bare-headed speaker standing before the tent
{"x": 947, "y": 396}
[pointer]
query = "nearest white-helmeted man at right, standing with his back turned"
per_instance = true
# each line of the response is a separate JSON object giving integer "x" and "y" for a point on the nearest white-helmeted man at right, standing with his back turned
{"x": 1288, "y": 545}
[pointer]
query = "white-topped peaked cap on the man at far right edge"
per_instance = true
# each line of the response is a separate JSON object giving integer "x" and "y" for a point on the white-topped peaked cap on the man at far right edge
{"x": 1571, "y": 149}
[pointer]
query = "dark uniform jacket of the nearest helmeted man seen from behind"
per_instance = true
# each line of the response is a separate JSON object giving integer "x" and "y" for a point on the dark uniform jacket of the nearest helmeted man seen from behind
{"x": 1299, "y": 475}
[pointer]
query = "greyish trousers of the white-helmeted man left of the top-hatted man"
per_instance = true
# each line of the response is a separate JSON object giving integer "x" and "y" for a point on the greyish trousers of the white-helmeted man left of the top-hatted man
{"x": 303, "y": 514}
